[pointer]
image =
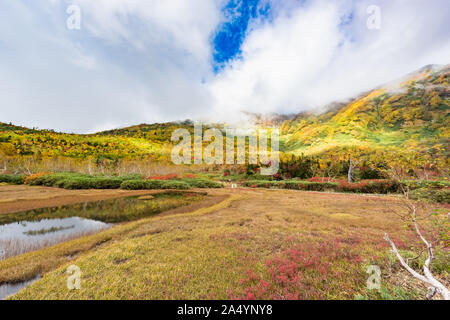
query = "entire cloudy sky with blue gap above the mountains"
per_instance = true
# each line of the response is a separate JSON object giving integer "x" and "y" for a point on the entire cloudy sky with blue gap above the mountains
{"x": 136, "y": 61}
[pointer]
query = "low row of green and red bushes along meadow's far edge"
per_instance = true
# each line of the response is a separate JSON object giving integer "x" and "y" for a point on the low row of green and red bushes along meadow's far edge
{"x": 433, "y": 190}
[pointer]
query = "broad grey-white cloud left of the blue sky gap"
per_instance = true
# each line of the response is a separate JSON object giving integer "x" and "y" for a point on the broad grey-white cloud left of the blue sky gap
{"x": 131, "y": 62}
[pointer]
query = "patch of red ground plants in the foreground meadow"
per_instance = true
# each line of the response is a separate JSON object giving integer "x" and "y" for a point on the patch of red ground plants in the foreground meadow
{"x": 308, "y": 270}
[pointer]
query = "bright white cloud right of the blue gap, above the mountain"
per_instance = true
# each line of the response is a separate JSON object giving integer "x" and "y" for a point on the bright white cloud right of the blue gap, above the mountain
{"x": 306, "y": 58}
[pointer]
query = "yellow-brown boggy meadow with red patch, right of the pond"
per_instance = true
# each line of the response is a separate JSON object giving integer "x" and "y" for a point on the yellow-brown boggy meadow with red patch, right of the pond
{"x": 239, "y": 243}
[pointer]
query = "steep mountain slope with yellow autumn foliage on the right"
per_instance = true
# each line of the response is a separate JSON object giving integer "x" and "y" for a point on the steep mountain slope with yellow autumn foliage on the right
{"x": 410, "y": 114}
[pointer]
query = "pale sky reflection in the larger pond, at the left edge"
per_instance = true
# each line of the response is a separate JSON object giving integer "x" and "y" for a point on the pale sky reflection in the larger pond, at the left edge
{"x": 72, "y": 226}
